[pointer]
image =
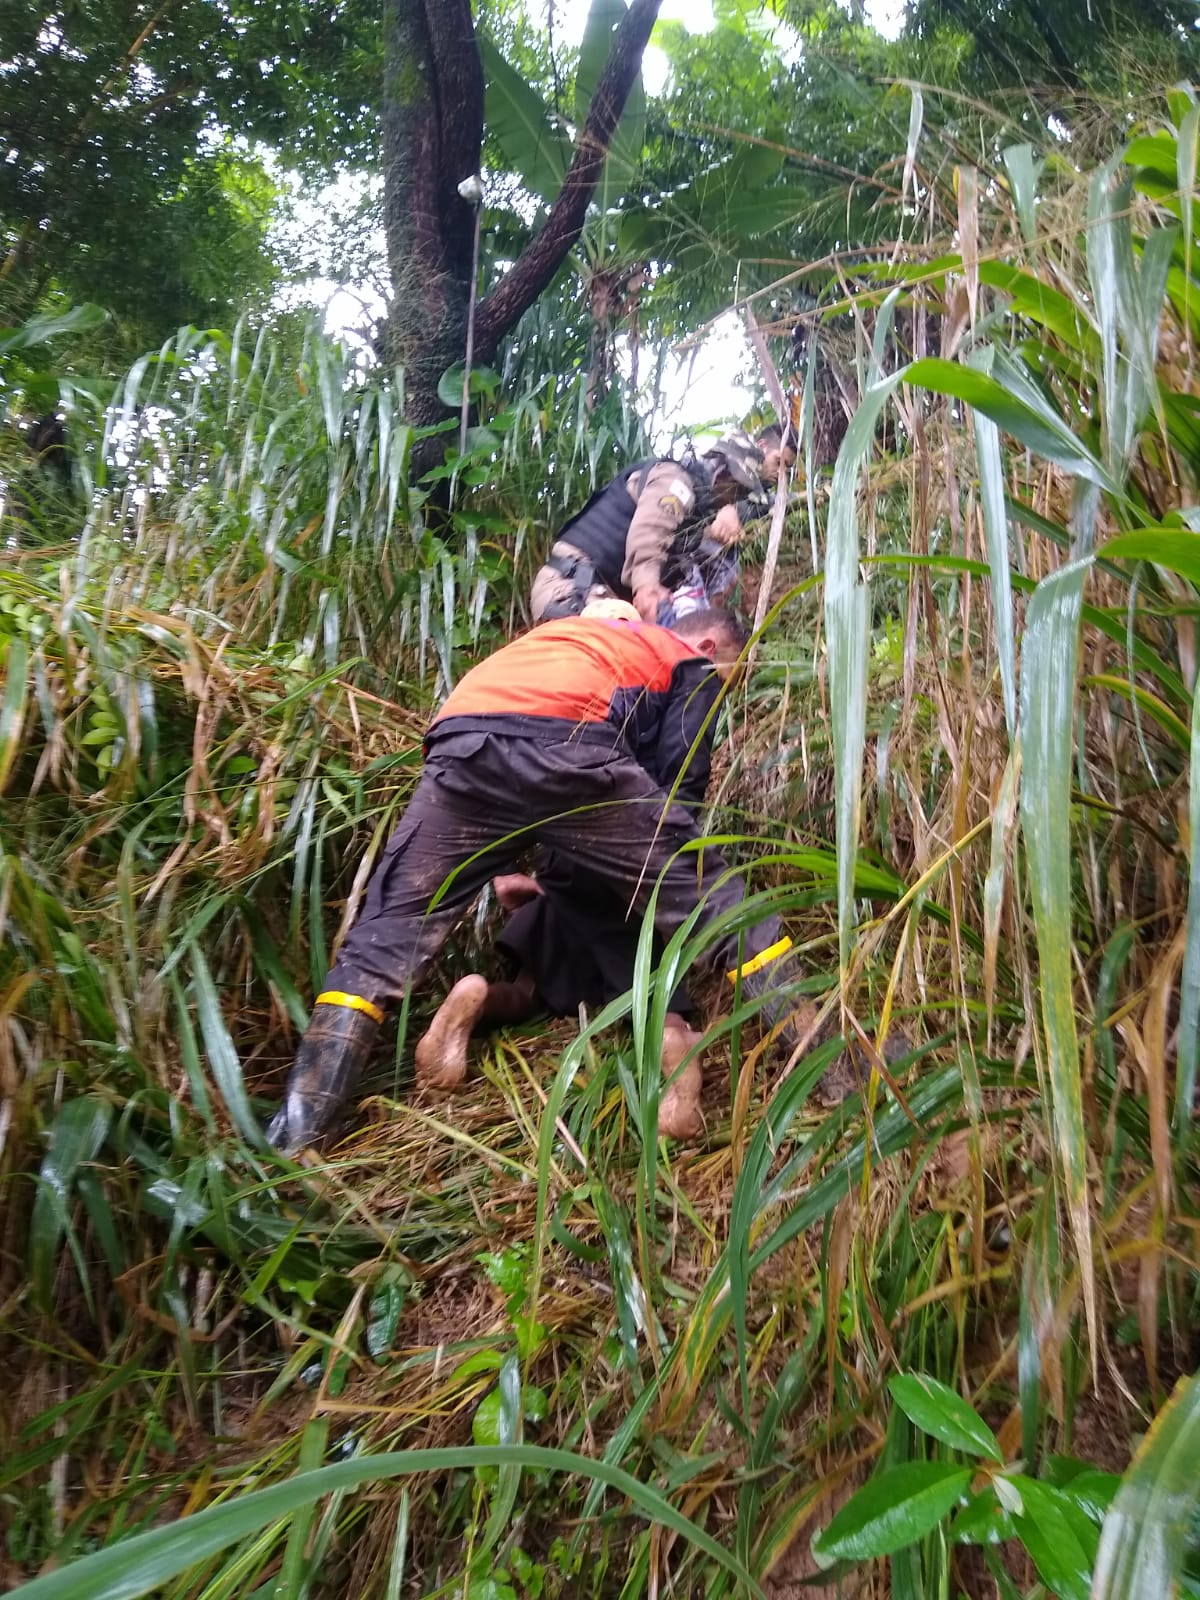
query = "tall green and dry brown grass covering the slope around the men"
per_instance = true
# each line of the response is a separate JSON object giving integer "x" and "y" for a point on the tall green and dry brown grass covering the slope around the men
{"x": 604, "y": 1369}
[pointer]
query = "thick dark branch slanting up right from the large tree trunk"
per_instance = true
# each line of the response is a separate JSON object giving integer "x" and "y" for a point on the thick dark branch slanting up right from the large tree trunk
{"x": 548, "y": 250}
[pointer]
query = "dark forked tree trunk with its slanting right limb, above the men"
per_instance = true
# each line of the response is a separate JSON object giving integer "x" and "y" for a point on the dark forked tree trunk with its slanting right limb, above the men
{"x": 433, "y": 132}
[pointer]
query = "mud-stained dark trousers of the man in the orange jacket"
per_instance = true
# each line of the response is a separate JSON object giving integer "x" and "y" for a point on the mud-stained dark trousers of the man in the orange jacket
{"x": 482, "y": 801}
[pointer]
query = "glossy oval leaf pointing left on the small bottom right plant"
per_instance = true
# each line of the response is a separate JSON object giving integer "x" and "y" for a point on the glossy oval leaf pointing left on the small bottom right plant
{"x": 892, "y": 1511}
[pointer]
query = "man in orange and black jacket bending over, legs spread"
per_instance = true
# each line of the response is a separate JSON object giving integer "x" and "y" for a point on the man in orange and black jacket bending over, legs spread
{"x": 569, "y": 738}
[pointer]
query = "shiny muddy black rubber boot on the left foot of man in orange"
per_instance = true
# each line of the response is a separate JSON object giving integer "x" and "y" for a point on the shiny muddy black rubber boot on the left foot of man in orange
{"x": 329, "y": 1065}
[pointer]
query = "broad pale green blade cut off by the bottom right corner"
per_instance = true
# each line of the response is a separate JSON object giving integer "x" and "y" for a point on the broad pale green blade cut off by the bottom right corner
{"x": 1145, "y": 1537}
